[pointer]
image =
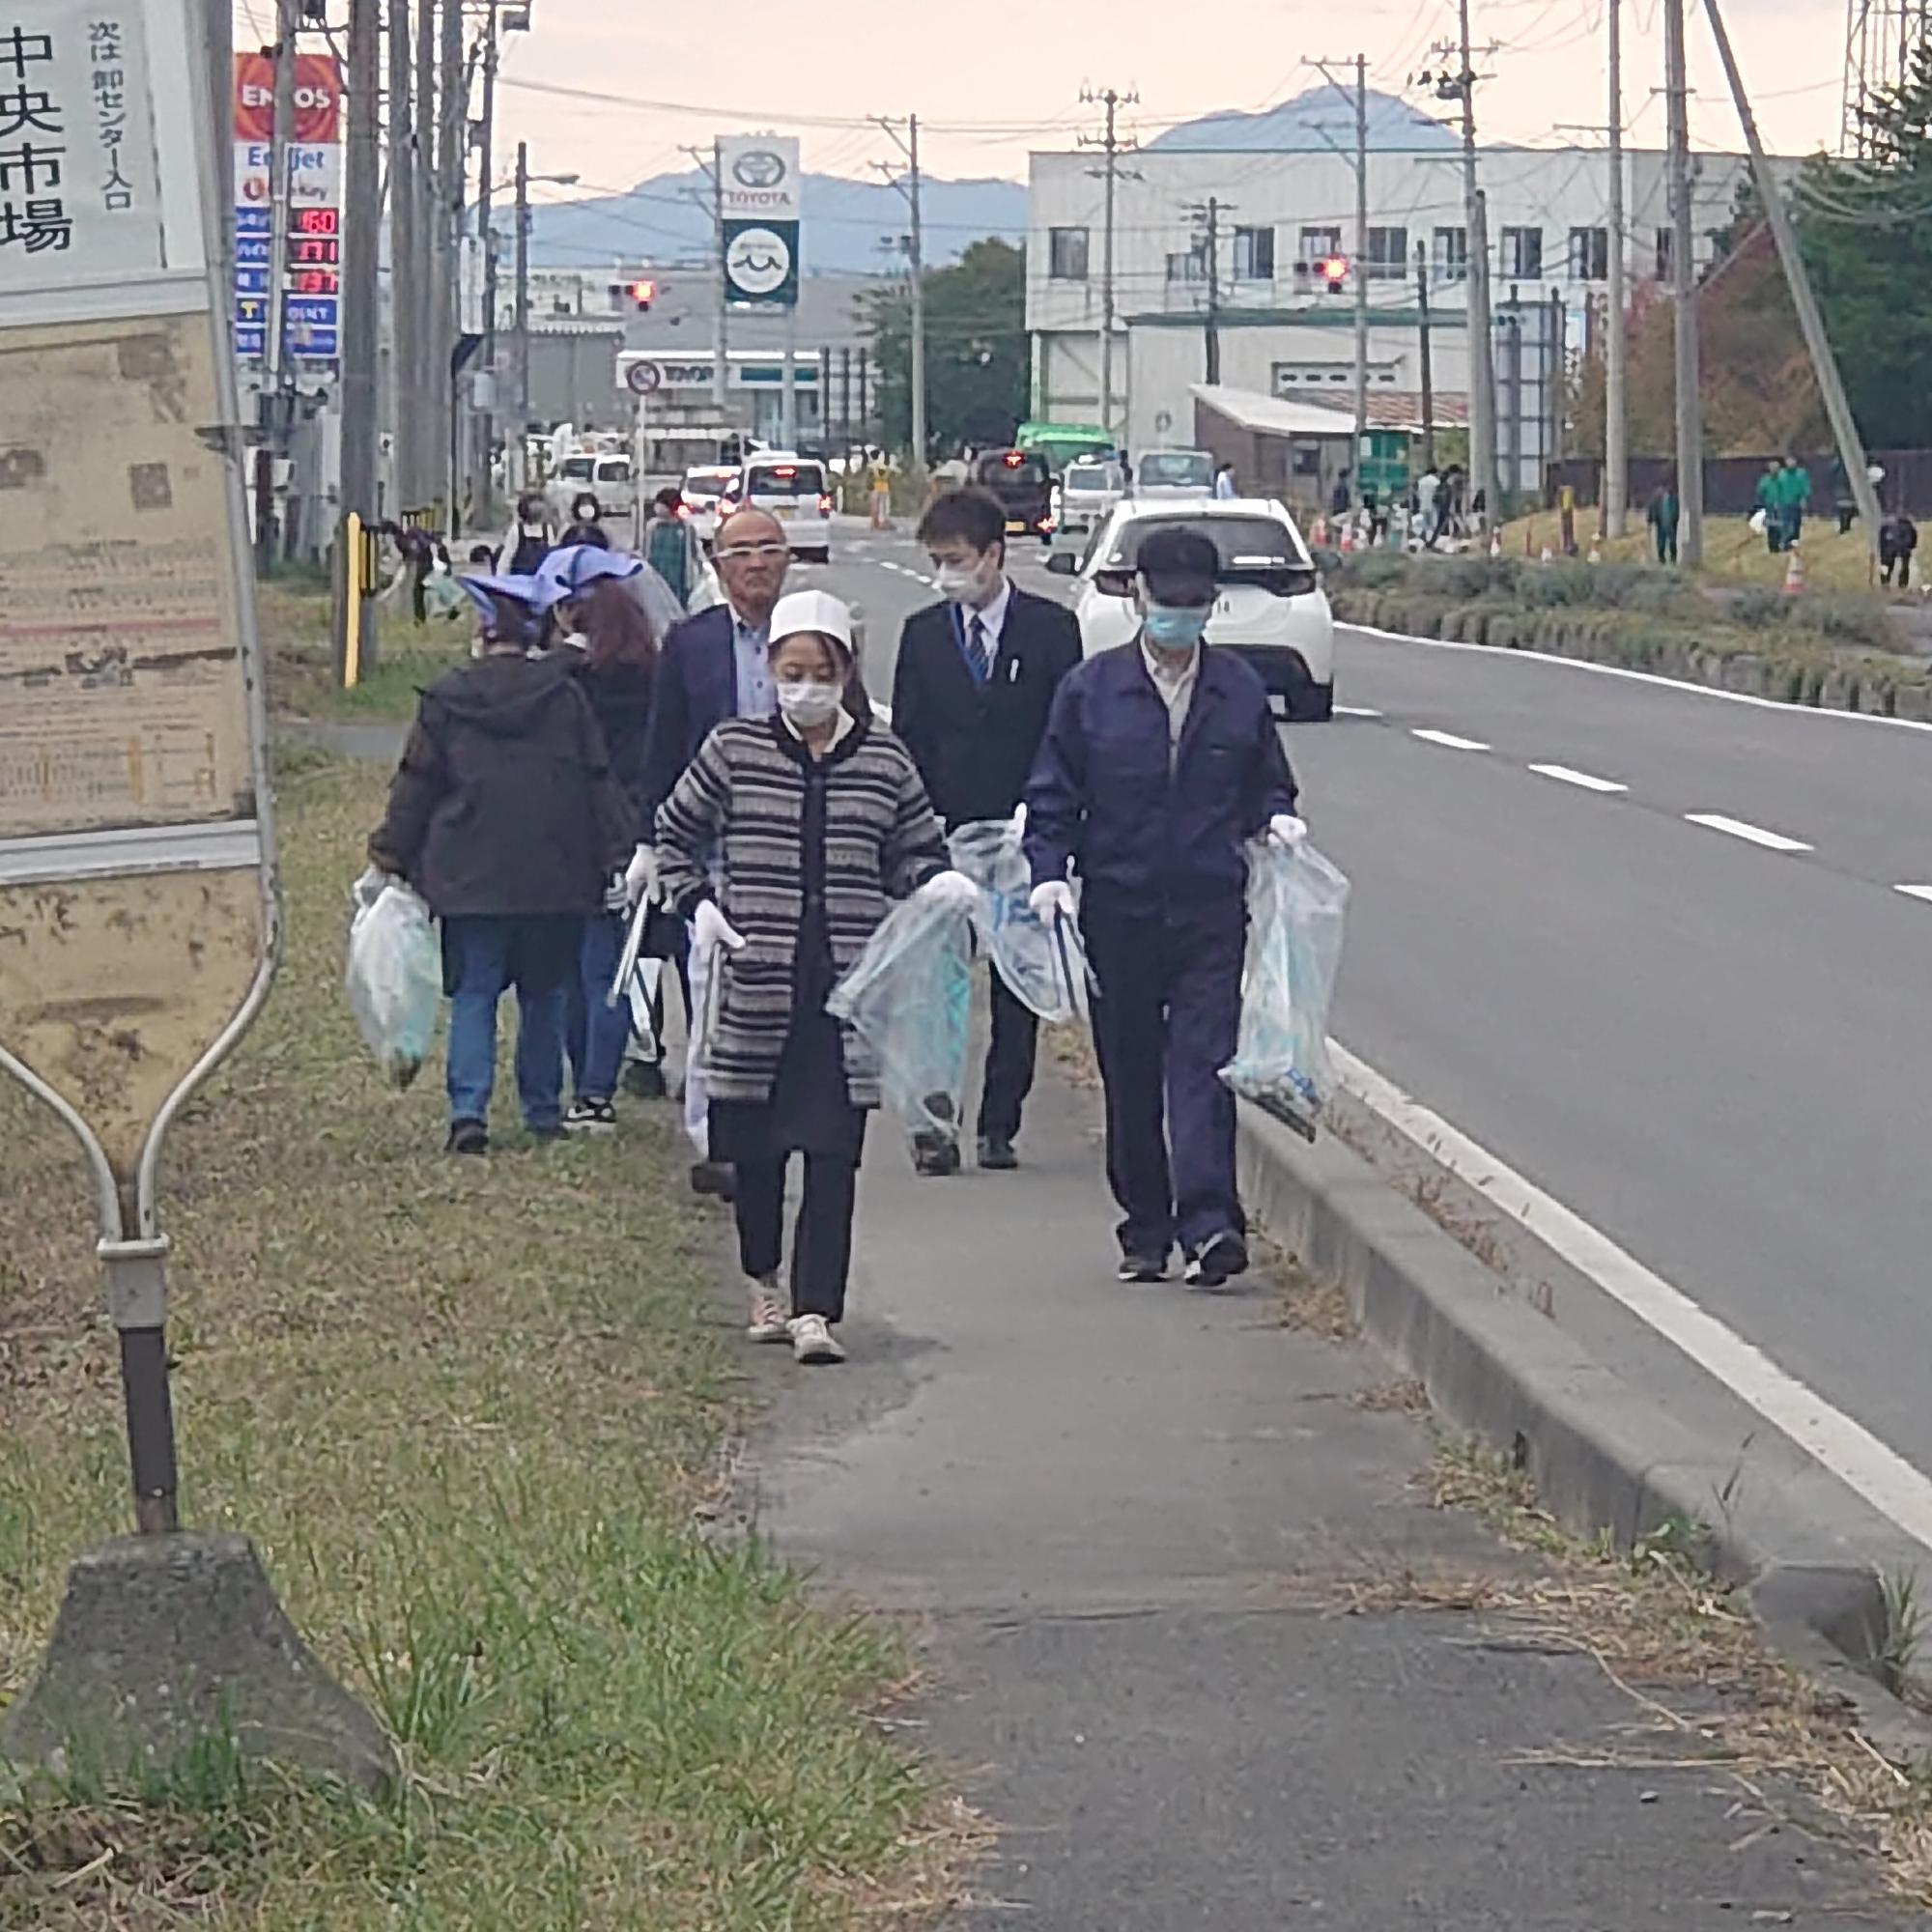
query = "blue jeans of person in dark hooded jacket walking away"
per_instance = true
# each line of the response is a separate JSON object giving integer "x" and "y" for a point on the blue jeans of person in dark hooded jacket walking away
{"x": 482, "y": 959}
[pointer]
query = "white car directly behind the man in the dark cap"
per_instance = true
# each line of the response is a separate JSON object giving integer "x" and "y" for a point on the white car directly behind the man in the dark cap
{"x": 1270, "y": 608}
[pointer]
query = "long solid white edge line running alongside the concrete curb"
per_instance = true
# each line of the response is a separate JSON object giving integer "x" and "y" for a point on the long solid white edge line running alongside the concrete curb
{"x": 1846, "y": 1448}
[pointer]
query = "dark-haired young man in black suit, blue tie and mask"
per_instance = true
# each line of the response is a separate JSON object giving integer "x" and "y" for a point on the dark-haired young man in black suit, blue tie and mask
{"x": 971, "y": 698}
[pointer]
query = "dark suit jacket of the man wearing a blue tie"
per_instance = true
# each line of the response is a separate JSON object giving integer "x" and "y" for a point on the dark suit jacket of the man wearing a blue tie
{"x": 977, "y": 743}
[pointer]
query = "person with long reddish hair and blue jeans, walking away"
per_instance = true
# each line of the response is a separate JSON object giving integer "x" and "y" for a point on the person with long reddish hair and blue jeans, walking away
{"x": 611, "y": 648}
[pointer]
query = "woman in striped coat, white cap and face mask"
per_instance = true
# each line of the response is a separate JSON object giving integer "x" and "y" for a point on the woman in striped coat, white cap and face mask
{"x": 785, "y": 843}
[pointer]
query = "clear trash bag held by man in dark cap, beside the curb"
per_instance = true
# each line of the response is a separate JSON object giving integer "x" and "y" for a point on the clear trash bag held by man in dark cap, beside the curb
{"x": 1295, "y": 923}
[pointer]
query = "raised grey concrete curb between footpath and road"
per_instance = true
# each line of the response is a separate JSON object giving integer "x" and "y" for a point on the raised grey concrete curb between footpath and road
{"x": 1601, "y": 1452}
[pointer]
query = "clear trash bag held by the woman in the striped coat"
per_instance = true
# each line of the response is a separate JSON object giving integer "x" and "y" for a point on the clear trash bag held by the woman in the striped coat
{"x": 911, "y": 1000}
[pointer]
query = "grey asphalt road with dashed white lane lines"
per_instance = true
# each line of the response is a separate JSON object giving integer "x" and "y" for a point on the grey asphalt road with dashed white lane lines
{"x": 1711, "y": 1040}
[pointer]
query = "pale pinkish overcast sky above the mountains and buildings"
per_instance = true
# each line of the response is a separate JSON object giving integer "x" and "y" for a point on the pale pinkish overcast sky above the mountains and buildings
{"x": 994, "y": 82}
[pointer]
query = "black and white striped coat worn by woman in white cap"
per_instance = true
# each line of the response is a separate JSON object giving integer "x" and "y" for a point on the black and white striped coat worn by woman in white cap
{"x": 754, "y": 822}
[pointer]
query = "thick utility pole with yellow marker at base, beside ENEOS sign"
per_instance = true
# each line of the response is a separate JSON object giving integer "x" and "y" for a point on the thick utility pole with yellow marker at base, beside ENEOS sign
{"x": 360, "y": 312}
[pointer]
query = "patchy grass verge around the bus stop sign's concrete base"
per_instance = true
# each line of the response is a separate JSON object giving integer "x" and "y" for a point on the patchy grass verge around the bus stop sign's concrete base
{"x": 467, "y": 1411}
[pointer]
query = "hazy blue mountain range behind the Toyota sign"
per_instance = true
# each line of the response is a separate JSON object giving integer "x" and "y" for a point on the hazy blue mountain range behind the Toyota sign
{"x": 847, "y": 223}
